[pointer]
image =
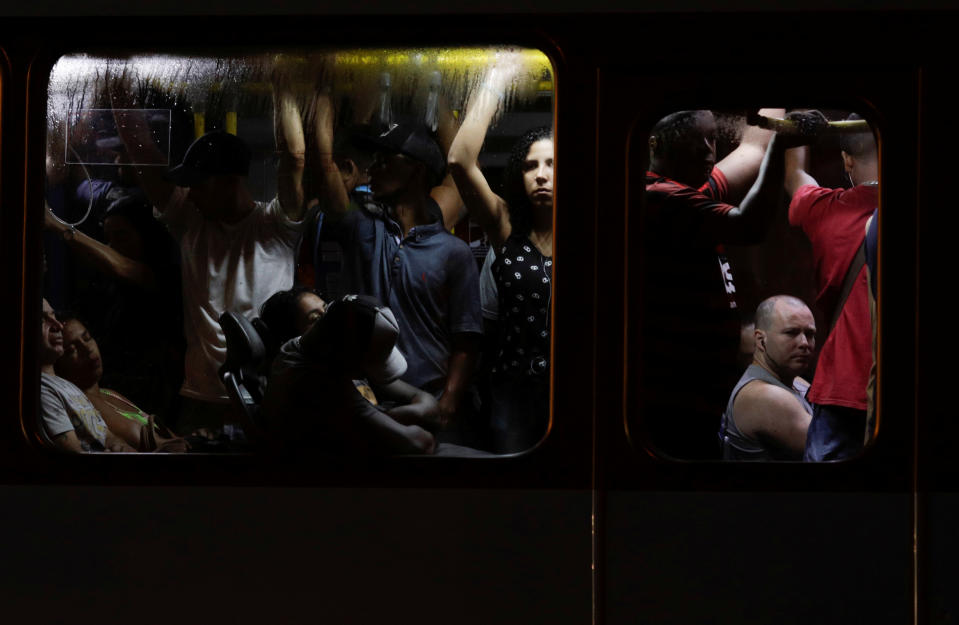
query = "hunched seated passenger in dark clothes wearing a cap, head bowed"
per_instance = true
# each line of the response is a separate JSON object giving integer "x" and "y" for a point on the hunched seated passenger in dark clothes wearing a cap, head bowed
{"x": 313, "y": 403}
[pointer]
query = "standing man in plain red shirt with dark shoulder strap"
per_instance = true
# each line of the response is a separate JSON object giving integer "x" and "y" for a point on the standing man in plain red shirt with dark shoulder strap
{"x": 835, "y": 221}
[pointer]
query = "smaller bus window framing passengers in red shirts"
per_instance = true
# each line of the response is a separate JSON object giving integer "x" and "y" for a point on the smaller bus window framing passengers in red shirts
{"x": 755, "y": 345}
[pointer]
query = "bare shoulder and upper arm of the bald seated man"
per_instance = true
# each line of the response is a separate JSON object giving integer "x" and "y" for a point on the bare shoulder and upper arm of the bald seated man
{"x": 772, "y": 414}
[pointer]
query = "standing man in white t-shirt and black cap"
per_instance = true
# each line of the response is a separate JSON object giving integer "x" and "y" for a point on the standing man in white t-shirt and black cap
{"x": 236, "y": 253}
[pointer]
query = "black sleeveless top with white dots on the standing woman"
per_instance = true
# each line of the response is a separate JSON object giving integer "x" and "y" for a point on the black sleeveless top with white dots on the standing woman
{"x": 524, "y": 279}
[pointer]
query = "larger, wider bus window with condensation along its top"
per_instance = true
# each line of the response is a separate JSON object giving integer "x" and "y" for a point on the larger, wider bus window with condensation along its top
{"x": 291, "y": 249}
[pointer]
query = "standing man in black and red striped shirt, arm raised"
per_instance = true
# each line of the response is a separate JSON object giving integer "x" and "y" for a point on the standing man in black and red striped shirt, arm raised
{"x": 690, "y": 324}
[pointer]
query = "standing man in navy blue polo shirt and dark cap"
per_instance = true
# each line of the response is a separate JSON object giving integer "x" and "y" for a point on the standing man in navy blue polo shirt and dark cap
{"x": 397, "y": 249}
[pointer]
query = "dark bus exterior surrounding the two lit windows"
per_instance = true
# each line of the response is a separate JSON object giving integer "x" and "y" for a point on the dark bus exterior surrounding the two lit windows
{"x": 588, "y": 526}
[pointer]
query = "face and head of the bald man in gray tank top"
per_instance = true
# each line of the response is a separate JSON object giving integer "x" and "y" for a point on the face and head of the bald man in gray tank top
{"x": 790, "y": 340}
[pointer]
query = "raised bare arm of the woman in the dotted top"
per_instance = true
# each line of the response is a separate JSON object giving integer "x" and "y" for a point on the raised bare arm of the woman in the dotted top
{"x": 485, "y": 207}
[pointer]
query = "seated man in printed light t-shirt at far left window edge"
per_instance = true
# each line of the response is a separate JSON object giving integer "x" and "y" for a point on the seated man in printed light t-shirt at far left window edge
{"x": 67, "y": 416}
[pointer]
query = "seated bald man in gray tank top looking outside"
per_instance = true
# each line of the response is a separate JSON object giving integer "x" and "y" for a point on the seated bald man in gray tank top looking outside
{"x": 767, "y": 416}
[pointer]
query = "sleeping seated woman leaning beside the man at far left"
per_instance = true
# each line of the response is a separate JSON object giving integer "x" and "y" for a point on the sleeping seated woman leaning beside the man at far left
{"x": 82, "y": 365}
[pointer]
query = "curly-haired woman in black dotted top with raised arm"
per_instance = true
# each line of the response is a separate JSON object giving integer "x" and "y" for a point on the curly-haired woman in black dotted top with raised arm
{"x": 520, "y": 230}
